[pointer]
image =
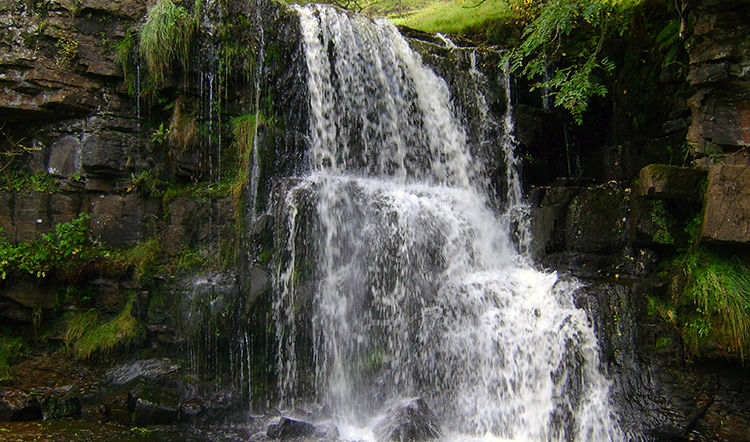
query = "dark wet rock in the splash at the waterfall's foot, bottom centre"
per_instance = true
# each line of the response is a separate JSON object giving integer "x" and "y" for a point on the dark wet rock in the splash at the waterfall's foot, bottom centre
{"x": 410, "y": 420}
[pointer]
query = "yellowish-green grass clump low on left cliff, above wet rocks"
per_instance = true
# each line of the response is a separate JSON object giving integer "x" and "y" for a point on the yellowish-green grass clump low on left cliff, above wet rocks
{"x": 87, "y": 334}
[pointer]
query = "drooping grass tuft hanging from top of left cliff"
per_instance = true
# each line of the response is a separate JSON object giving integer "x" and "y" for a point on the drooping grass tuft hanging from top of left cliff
{"x": 165, "y": 39}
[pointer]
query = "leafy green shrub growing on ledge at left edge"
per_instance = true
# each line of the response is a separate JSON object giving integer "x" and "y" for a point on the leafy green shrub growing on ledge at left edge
{"x": 69, "y": 252}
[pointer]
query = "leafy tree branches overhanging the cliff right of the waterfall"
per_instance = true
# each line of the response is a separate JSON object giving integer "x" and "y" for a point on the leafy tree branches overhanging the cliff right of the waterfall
{"x": 566, "y": 37}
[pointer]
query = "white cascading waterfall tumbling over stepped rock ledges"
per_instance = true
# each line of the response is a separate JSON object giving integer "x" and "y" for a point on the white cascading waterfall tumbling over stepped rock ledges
{"x": 413, "y": 285}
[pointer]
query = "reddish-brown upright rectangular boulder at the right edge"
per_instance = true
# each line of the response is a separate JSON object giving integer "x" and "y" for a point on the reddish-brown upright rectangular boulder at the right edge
{"x": 727, "y": 215}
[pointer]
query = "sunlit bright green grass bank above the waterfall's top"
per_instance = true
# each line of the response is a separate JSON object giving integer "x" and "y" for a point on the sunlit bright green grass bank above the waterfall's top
{"x": 452, "y": 17}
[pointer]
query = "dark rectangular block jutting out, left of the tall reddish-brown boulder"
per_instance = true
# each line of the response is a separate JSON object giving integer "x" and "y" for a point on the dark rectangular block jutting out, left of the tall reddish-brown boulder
{"x": 661, "y": 181}
